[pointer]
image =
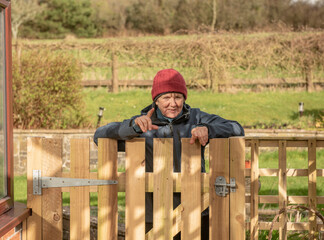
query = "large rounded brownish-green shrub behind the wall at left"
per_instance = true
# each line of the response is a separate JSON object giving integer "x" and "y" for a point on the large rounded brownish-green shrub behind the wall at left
{"x": 46, "y": 91}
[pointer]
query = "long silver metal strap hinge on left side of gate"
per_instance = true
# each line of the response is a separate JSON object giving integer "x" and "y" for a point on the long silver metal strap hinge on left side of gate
{"x": 40, "y": 182}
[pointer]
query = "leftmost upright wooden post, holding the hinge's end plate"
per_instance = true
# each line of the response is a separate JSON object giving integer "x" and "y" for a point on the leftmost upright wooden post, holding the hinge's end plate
{"x": 34, "y": 155}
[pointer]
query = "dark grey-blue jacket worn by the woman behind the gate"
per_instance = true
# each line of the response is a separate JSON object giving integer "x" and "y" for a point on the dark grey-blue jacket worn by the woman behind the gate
{"x": 179, "y": 128}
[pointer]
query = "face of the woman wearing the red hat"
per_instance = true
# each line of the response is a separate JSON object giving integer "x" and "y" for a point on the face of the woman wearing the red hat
{"x": 170, "y": 104}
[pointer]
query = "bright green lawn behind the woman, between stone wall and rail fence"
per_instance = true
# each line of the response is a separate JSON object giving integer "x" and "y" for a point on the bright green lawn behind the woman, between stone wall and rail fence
{"x": 257, "y": 110}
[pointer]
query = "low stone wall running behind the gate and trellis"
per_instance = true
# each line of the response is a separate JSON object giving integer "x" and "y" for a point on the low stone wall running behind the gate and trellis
{"x": 20, "y": 143}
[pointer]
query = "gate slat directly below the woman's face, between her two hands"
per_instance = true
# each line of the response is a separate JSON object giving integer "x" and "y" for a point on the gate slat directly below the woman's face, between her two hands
{"x": 163, "y": 188}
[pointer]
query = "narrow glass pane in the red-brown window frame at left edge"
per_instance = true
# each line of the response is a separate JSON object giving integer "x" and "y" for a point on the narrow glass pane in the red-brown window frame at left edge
{"x": 3, "y": 168}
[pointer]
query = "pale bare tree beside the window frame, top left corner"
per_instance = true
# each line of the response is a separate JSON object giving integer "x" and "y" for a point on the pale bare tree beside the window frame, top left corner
{"x": 22, "y": 11}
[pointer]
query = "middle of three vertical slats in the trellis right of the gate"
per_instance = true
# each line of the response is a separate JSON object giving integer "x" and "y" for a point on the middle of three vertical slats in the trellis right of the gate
{"x": 282, "y": 189}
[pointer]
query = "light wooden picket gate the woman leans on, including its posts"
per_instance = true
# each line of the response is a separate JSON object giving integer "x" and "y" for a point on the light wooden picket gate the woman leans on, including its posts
{"x": 227, "y": 214}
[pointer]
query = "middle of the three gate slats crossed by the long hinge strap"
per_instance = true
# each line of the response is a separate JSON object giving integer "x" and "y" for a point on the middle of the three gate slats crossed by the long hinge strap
{"x": 79, "y": 196}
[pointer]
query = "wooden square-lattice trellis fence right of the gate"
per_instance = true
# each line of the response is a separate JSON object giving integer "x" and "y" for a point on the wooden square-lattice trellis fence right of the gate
{"x": 283, "y": 172}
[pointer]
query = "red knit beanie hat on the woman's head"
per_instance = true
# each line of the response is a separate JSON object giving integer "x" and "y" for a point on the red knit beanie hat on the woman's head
{"x": 168, "y": 80}
